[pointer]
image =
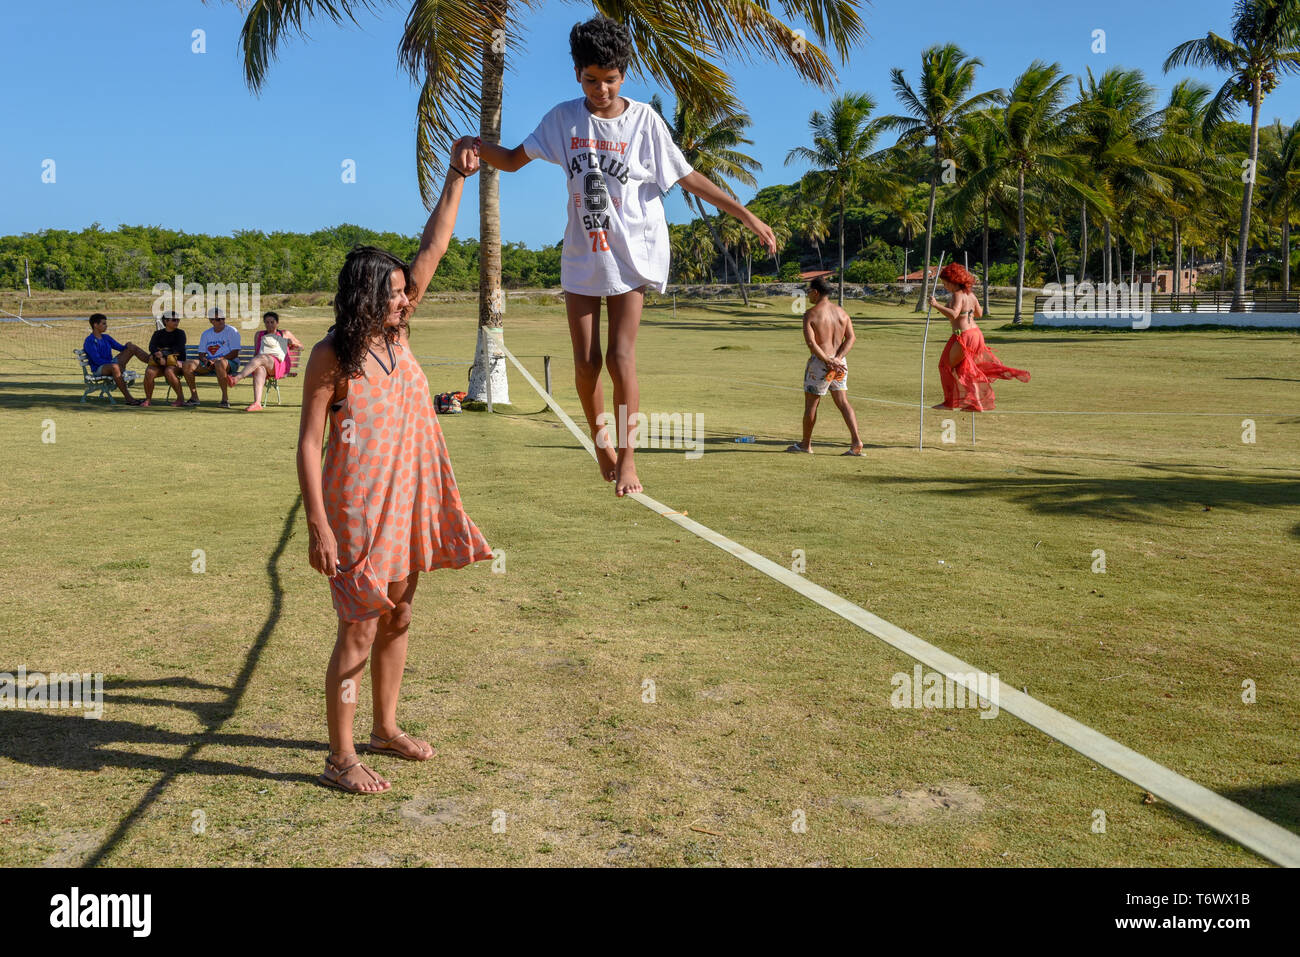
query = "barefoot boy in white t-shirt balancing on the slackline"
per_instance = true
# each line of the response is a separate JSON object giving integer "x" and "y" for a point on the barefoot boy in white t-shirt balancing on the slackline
{"x": 619, "y": 159}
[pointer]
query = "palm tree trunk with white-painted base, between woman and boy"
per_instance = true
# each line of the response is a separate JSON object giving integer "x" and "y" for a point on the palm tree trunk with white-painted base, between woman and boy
{"x": 492, "y": 301}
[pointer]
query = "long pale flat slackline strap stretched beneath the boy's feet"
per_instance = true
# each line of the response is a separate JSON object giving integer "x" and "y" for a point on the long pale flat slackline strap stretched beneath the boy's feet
{"x": 1249, "y": 829}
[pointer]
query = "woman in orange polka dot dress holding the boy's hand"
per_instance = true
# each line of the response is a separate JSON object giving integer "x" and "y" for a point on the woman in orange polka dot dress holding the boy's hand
{"x": 385, "y": 506}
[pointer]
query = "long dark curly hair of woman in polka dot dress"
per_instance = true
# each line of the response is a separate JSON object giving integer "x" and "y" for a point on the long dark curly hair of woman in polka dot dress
{"x": 362, "y": 305}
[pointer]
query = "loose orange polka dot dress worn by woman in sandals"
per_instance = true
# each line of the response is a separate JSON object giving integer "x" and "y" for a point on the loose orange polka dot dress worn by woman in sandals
{"x": 389, "y": 492}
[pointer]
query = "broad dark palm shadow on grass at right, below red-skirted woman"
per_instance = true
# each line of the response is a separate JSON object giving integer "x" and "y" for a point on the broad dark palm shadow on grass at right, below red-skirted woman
{"x": 1137, "y": 497}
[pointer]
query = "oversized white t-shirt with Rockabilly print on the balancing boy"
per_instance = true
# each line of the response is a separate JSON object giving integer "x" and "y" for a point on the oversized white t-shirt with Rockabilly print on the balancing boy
{"x": 618, "y": 172}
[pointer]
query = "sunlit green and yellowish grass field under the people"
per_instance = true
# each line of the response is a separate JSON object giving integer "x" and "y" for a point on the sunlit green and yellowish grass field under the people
{"x": 530, "y": 682}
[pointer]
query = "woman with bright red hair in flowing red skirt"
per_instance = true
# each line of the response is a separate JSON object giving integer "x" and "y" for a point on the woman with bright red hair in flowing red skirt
{"x": 968, "y": 367}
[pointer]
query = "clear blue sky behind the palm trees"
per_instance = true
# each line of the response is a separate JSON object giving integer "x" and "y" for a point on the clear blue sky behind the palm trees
{"x": 146, "y": 132}
